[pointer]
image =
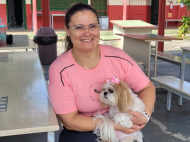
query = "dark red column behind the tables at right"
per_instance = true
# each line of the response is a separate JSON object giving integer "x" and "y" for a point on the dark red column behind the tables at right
{"x": 161, "y": 22}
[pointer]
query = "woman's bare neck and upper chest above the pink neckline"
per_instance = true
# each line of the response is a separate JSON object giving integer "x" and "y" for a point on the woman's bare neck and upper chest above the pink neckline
{"x": 87, "y": 60}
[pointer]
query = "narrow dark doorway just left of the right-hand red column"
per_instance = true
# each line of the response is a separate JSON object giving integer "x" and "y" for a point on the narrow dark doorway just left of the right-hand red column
{"x": 154, "y": 12}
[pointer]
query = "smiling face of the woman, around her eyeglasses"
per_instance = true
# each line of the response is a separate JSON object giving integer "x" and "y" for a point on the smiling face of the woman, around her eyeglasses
{"x": 87, "y": 40}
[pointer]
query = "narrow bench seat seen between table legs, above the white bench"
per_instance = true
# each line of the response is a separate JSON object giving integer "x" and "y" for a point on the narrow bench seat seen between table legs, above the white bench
{"x": 169, "y": 58}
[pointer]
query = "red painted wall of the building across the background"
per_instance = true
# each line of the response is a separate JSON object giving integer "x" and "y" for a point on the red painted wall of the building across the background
{"x": 115, "y": 12}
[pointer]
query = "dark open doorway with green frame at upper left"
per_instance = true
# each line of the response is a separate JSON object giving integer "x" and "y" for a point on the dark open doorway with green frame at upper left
{"x": 16, "y": 11}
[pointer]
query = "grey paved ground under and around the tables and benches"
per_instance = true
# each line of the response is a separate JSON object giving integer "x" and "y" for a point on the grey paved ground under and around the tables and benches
{"x": 164, "y": 126}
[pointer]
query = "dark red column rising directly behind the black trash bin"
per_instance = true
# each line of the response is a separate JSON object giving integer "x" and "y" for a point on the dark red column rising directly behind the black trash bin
{"x": 45, "y": 13}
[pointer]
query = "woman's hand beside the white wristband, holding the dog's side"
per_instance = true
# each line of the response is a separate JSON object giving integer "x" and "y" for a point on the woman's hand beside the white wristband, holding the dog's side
{"x": 138, "y": 118}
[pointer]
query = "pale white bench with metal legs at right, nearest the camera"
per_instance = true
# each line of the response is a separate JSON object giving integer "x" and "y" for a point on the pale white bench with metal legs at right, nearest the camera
{"x": 173, "y": 85}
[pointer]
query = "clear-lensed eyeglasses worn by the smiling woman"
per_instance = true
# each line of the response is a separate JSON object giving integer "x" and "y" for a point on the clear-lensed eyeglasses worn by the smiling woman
{"x": 80, "y": 29}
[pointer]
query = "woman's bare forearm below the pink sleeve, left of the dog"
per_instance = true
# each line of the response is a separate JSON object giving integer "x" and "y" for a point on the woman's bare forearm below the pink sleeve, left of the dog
{"x": 77, "y": 122}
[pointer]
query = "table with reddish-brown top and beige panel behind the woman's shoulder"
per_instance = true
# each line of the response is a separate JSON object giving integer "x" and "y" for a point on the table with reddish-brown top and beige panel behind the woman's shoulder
{"x": 138, "y": 46}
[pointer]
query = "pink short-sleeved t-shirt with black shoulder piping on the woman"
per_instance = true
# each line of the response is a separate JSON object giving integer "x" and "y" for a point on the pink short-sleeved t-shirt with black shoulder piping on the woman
{"x": 71, "y": 87}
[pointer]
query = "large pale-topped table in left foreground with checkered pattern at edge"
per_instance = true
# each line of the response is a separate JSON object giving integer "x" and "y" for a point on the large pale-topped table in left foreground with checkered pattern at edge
{"x": 25, "y": 106}
